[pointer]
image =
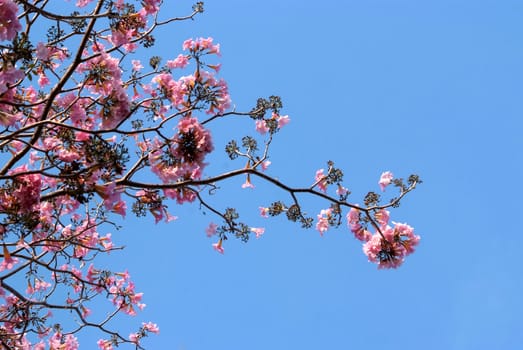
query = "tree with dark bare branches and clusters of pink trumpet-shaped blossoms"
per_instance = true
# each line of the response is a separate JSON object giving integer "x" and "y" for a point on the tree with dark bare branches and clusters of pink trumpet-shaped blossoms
{"x": 83, "y": 124}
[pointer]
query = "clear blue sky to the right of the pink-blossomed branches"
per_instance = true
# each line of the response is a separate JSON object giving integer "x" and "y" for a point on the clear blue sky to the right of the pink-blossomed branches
{"x": 427, "y": 87}
